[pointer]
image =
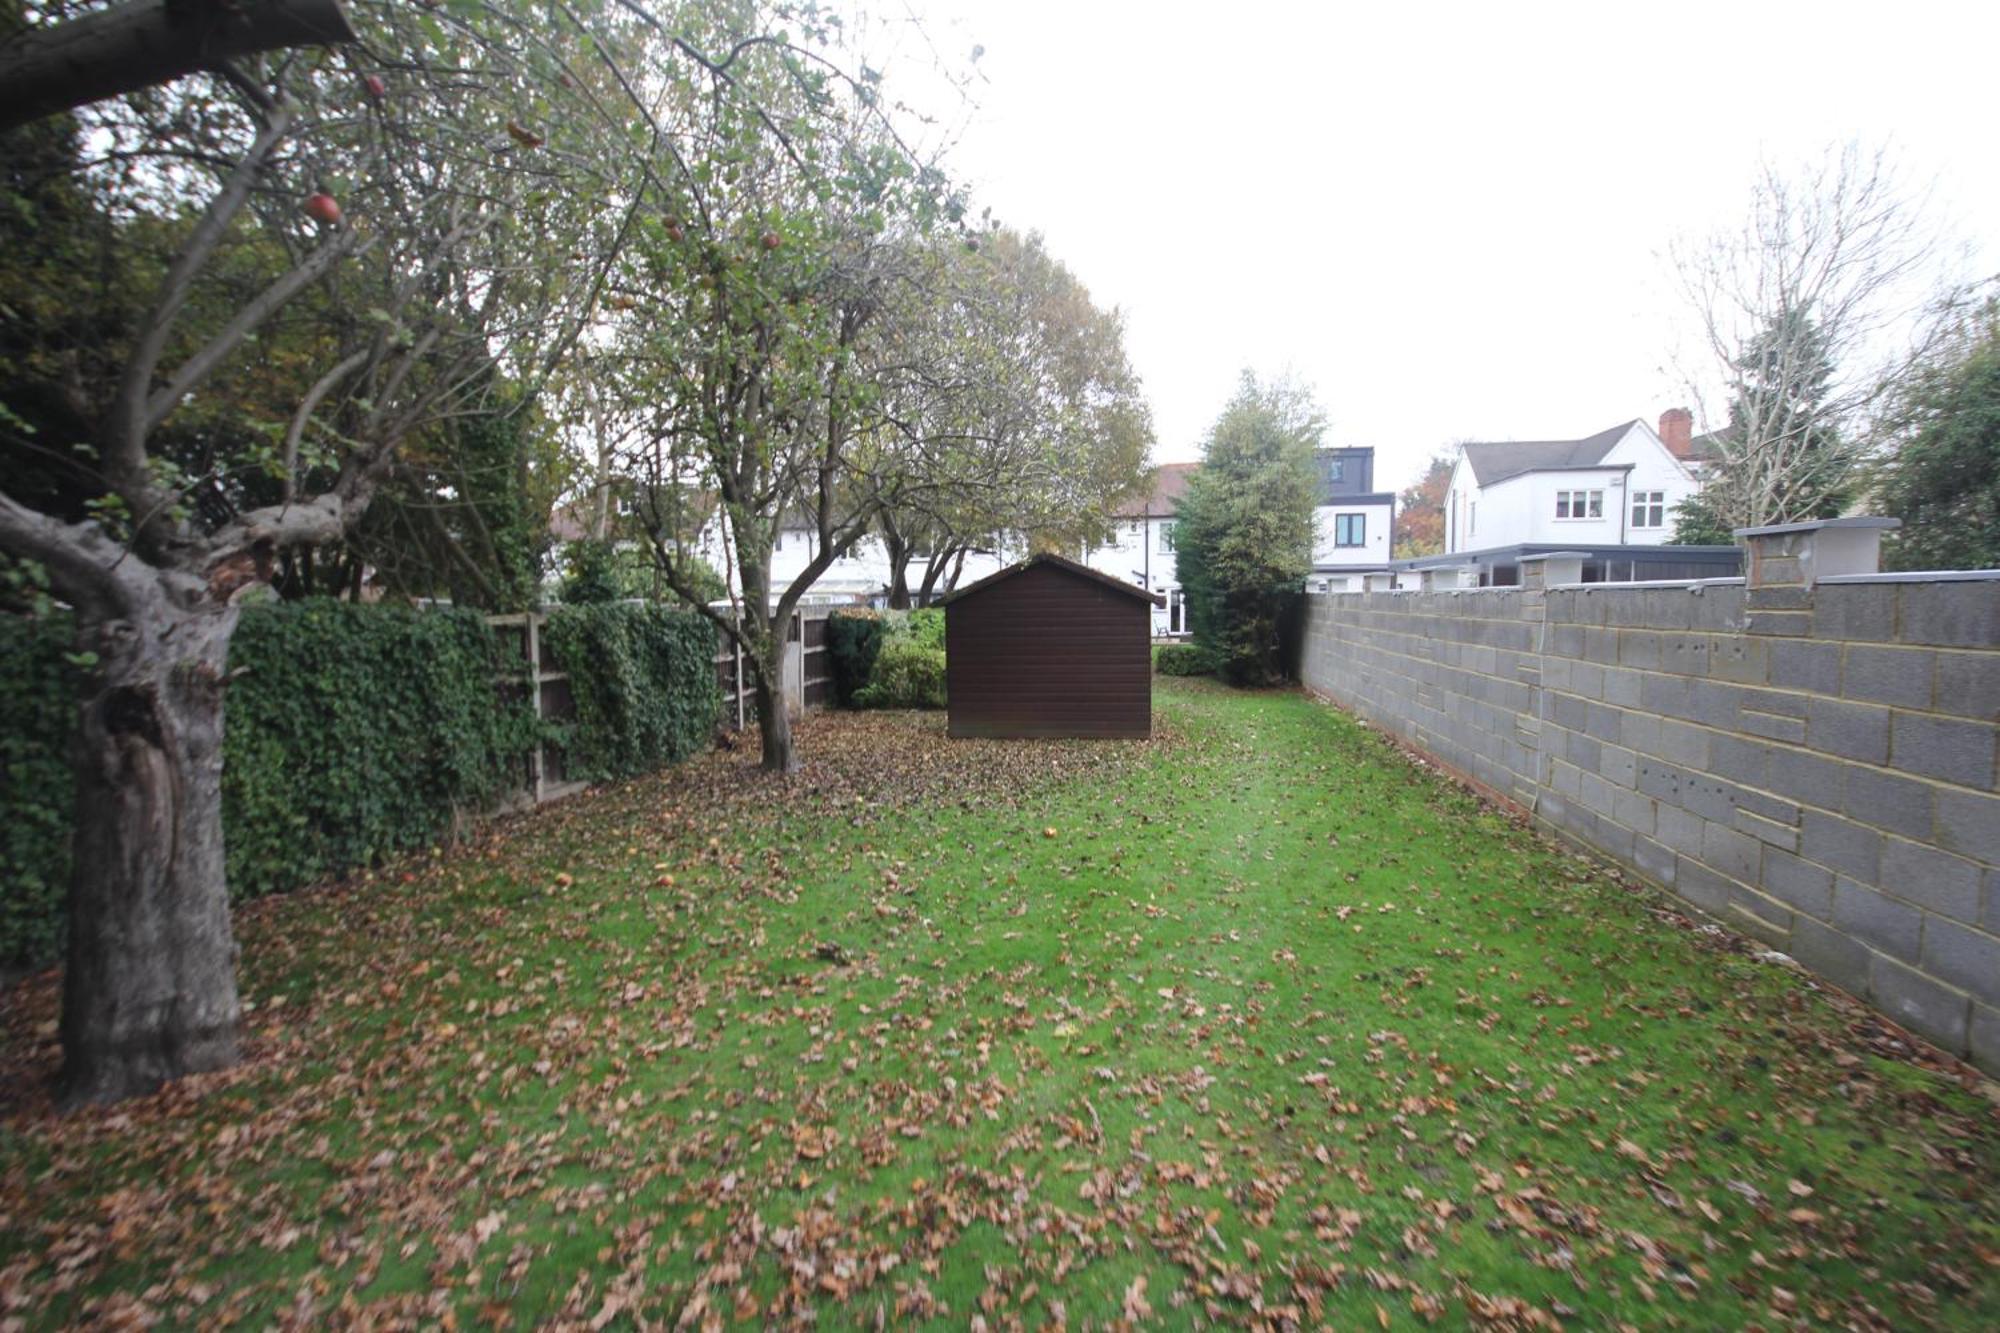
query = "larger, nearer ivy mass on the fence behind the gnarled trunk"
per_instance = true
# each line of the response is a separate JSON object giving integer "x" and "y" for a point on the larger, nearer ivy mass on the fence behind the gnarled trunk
{"x": 351, "y": 734}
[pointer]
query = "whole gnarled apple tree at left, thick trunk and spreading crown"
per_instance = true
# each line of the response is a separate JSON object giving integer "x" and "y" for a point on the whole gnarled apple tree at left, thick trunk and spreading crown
{"x": 337, "y": 251}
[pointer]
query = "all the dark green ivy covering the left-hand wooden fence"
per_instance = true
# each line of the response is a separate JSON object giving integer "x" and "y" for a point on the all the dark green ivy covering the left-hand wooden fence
{"x": 353, "y": 734}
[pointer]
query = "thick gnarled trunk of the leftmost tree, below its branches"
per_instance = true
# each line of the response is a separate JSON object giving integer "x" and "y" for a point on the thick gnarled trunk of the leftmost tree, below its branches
{"x": 151, "y": 984}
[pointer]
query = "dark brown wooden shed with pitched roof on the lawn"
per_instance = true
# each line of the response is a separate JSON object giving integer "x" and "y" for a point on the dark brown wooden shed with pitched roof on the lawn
{"x": 1049, "y": 647}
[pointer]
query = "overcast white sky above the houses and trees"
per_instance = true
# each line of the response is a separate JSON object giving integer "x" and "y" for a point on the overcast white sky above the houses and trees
{"x": 1449, "y": 221}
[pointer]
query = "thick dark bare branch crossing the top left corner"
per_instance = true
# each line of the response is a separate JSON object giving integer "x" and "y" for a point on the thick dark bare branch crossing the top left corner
{"x": 147, "y": 43}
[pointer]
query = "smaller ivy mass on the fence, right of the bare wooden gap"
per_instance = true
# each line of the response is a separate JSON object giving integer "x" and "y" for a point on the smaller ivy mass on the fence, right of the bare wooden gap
{"x": 645, "y": 686}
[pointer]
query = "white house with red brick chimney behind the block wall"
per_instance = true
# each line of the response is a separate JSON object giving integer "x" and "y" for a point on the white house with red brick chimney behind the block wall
{"x": 1613, "y": 489}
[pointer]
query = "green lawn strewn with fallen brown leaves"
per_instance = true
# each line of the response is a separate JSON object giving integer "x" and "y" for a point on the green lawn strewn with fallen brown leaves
{"x": 1251, "y": 1024}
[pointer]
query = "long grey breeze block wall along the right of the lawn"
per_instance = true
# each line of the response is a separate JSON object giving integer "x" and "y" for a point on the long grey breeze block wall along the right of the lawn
{"x": 1811, "y": 764}
